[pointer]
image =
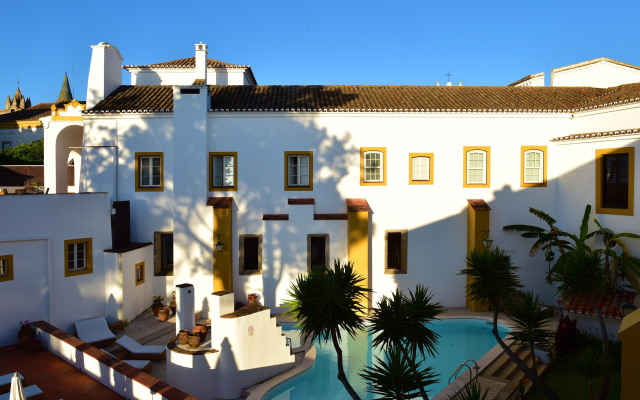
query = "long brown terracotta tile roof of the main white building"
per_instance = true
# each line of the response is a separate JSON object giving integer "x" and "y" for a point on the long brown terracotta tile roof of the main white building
{"x": 254, "y": 98}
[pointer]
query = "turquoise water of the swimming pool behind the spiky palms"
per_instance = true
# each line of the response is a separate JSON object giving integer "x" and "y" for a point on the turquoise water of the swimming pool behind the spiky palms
{"x": 460, "y": 339}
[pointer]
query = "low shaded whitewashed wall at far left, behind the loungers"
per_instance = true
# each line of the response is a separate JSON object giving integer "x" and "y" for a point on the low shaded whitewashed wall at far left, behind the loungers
{"x": 39, "y": 227}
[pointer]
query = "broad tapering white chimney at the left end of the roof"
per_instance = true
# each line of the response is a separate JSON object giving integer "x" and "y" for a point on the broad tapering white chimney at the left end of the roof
{"x": 105, "y": 73}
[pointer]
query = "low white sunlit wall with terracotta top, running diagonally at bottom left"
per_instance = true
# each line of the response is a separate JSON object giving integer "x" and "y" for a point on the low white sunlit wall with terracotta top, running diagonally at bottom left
{"x": 123, "y": 379}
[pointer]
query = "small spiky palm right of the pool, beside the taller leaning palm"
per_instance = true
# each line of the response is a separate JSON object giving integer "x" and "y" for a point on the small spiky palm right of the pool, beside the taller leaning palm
{"x": 529, "y": 316}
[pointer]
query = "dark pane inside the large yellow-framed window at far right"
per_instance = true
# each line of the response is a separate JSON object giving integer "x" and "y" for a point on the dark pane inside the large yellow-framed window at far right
{"x": 615, "y": 181}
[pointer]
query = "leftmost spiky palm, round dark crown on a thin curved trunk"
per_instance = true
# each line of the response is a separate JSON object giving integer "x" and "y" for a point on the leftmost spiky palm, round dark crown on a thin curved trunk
{"x": 326, "y": 302}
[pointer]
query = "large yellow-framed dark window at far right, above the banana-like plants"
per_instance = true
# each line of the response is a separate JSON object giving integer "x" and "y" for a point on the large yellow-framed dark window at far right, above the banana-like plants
{"x": 614, "y": 181}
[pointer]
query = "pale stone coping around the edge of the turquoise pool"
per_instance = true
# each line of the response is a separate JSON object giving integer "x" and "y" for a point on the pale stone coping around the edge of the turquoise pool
{"x": 259, "y": 391}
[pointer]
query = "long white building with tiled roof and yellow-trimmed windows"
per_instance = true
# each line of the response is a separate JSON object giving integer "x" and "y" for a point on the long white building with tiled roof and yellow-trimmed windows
{"x": 400, "y": 180}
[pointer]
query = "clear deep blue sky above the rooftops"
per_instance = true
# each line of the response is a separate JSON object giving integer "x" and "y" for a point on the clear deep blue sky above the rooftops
{"x": 288, "y": 42}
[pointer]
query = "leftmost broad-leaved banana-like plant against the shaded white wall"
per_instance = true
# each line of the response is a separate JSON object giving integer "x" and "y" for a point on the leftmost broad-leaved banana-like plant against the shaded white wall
{"x": 546, "y": 238}
